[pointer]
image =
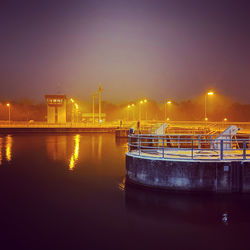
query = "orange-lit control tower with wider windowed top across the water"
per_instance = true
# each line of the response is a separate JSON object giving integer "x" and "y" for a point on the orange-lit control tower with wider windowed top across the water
{"x": 56, "y": 108}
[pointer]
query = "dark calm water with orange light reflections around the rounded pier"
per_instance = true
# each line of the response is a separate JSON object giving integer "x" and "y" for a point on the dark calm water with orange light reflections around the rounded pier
{"x": 68, "y": 192}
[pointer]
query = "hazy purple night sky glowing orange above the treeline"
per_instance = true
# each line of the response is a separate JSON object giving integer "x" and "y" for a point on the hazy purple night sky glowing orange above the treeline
{"x": 154, "y": 49}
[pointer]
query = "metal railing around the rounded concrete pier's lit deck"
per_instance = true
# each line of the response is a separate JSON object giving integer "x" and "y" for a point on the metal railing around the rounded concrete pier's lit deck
{"x": 189, "y": 147}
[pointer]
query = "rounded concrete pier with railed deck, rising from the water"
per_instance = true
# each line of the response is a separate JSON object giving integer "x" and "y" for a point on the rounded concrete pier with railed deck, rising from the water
{"x": 201, "y": 162}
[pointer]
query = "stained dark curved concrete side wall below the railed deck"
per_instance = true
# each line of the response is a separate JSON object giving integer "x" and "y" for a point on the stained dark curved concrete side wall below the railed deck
{"x": 224, "y": 177}
